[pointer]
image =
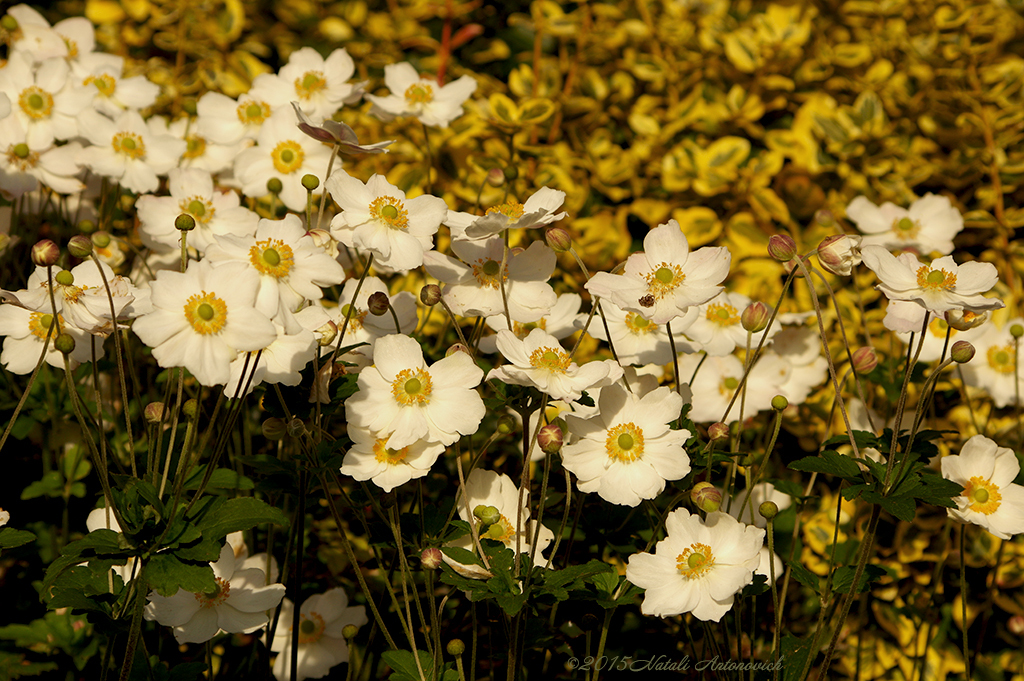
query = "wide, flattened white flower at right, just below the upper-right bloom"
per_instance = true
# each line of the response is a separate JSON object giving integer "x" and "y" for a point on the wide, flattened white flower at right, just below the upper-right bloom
{"x": 940, "y": 287}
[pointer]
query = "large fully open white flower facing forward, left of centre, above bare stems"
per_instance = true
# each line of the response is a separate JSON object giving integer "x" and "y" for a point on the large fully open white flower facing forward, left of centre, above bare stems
{"x": 204, "y": 318}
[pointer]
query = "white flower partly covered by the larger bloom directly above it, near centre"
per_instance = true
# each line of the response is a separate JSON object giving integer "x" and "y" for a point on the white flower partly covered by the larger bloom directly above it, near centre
{"x": 371, "y": 459}
